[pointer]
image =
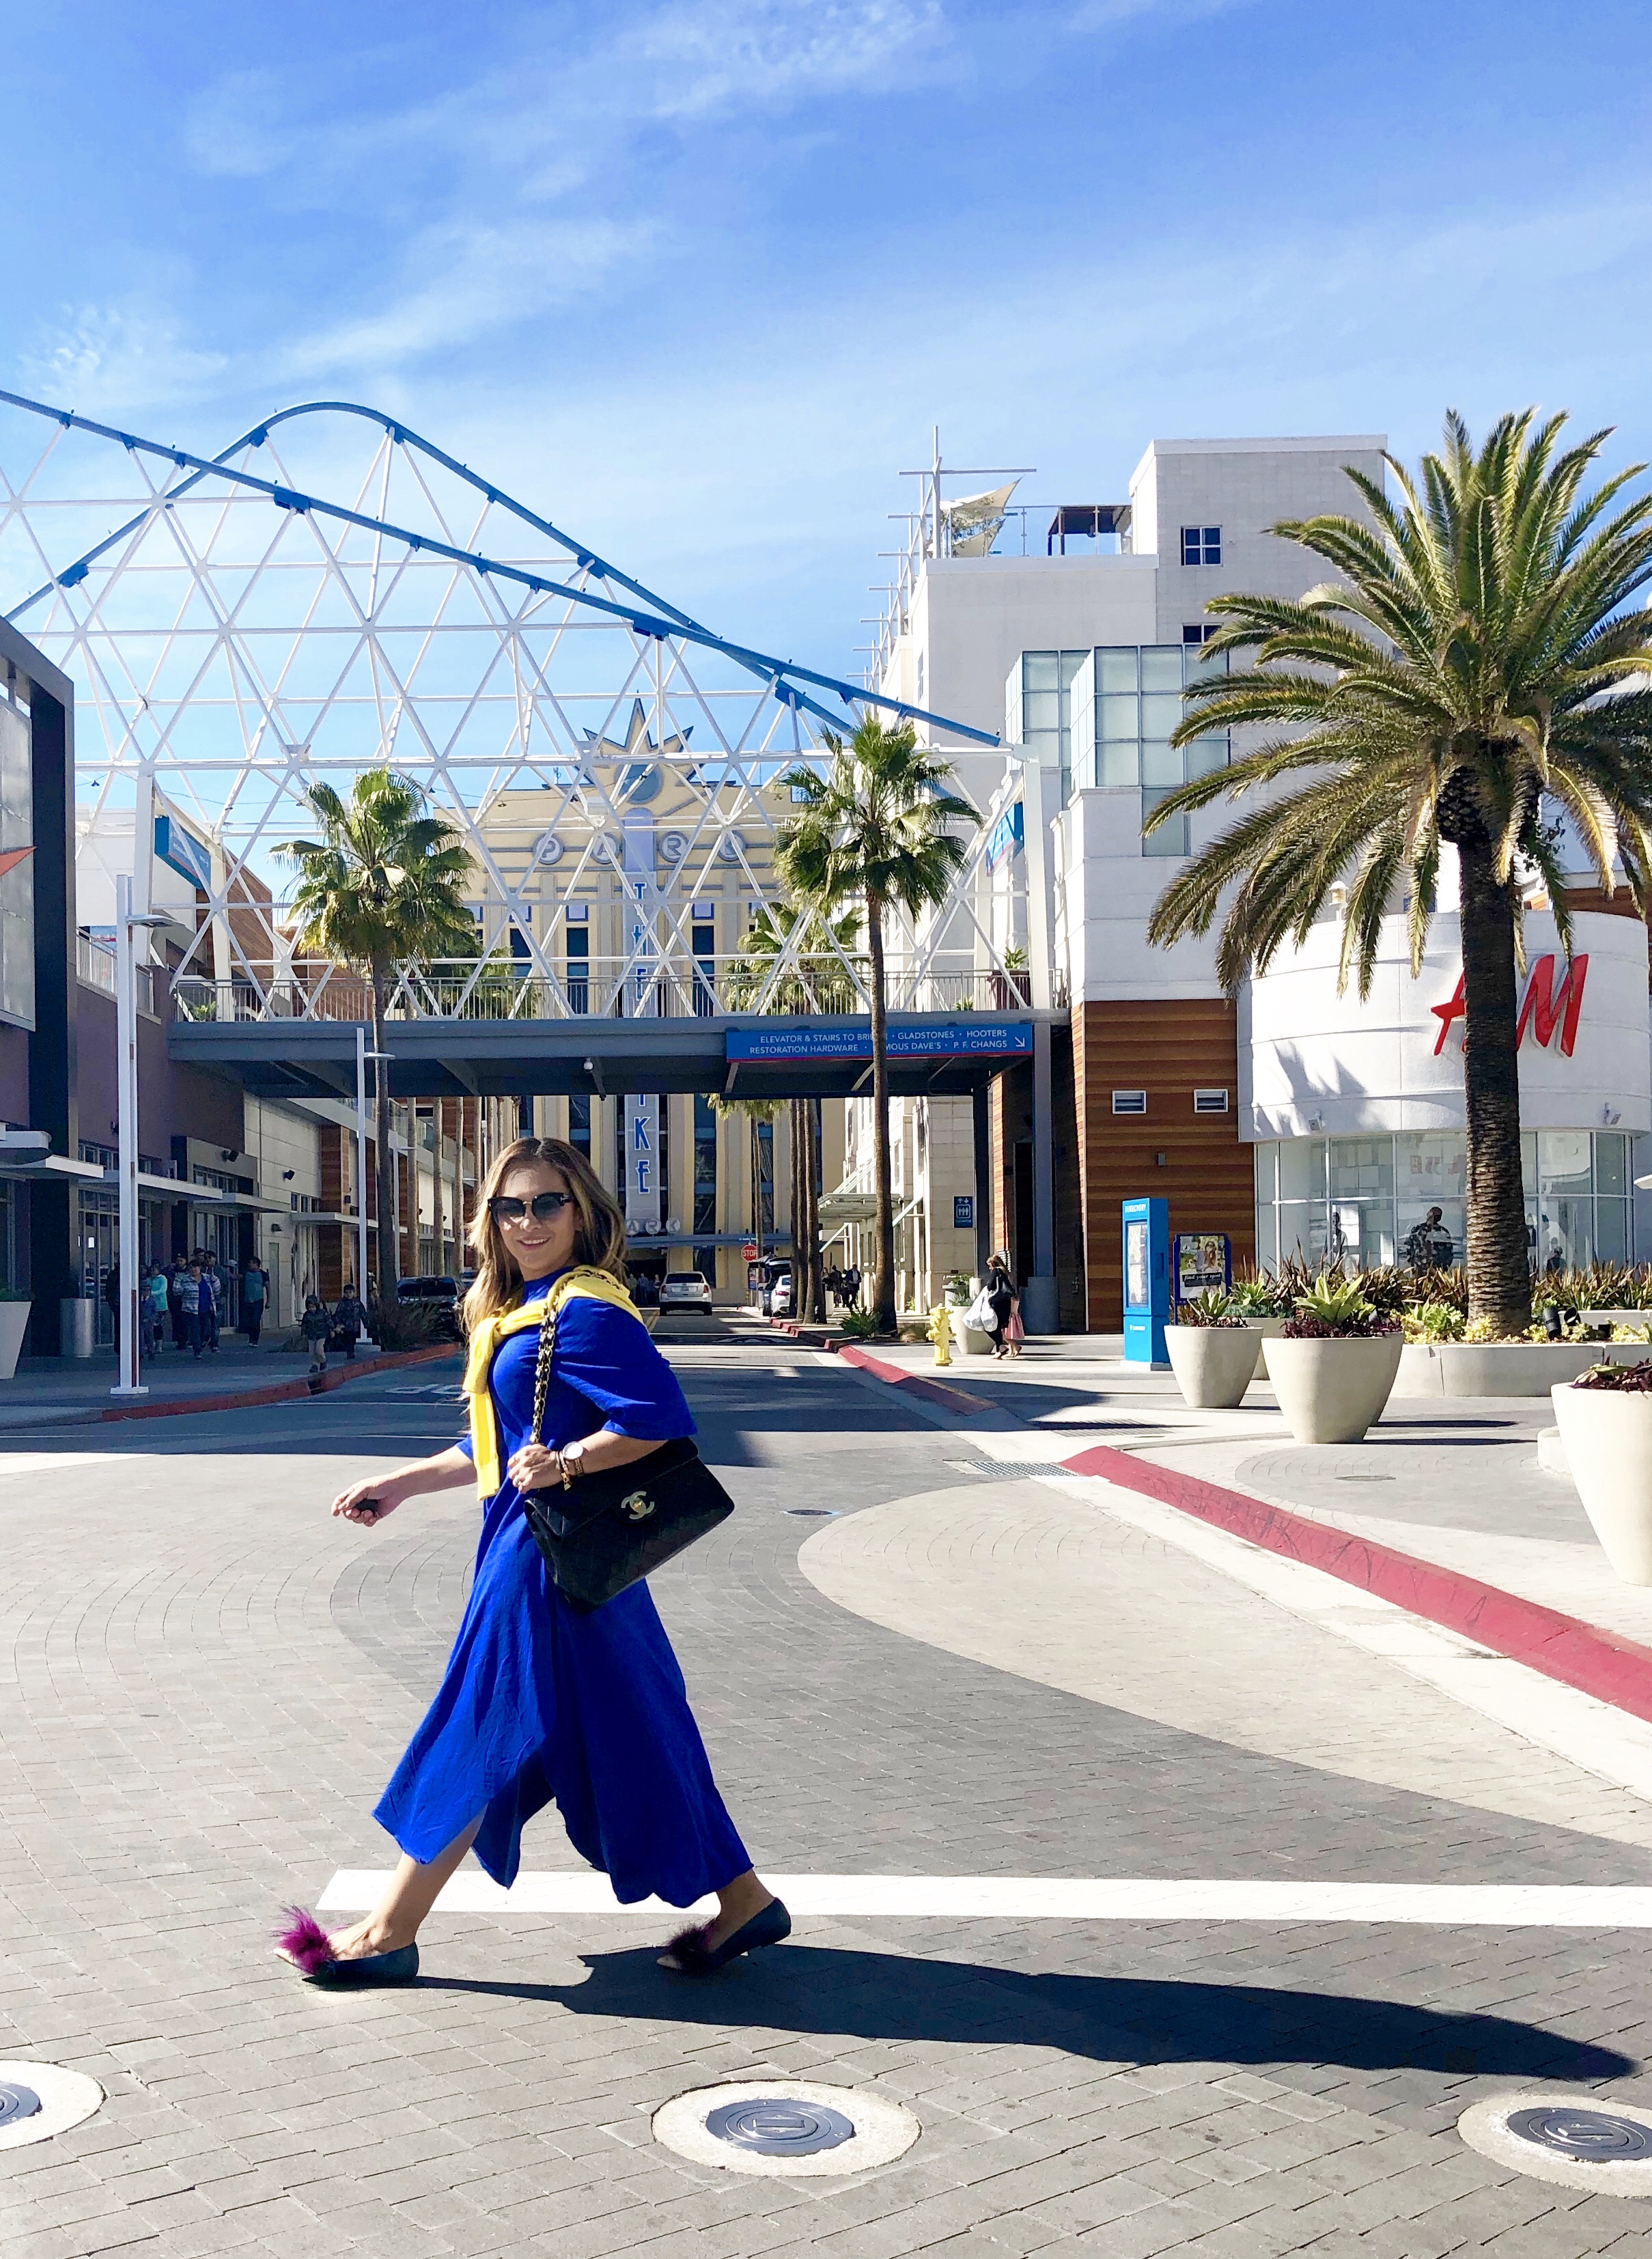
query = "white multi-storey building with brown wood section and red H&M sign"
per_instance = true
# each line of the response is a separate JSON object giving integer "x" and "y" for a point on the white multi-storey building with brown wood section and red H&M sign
{"x": 1292, "y": 1117}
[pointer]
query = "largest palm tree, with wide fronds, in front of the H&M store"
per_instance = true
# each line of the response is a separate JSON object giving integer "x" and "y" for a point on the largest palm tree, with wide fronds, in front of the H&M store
{"x": 1463, "y": 681}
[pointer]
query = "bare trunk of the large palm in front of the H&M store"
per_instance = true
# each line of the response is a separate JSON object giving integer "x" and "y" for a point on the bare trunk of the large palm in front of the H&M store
{"x": 1497, "y": 1259}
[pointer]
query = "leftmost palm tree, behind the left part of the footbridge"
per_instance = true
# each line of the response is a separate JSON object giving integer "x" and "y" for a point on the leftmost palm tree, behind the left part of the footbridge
{"x": 376, "y": 891}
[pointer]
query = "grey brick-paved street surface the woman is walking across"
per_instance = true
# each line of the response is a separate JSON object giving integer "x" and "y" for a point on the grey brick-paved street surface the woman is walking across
{"x": 903, "y": 1668}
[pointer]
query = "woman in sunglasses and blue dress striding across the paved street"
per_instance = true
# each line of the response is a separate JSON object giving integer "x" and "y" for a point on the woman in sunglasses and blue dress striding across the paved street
{"x": 541, "y": 1702}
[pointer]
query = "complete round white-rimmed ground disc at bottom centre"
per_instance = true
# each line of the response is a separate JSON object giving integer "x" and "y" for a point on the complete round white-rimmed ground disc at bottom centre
{"x": 785, "y": 2127}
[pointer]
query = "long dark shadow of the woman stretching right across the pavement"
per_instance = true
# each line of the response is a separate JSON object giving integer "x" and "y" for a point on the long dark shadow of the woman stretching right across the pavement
{"x": 873, "y": 1996}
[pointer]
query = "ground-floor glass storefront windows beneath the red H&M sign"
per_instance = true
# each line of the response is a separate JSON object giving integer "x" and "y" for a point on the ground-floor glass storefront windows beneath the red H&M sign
{"x": 1368, "y": 1201}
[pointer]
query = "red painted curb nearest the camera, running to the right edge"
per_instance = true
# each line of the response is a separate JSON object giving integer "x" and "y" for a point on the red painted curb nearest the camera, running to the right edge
{"x": 1585, "y": 1657}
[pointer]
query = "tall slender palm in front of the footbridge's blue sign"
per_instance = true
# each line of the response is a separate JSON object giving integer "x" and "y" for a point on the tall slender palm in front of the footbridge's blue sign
{"x": 873, "y": 832}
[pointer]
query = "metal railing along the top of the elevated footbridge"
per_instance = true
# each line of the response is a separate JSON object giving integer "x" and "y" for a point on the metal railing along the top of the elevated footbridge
{"x": 607, "y": 988}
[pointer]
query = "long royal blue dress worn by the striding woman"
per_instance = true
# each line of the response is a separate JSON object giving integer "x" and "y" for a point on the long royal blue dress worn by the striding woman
{"x": 541, "y": 1704}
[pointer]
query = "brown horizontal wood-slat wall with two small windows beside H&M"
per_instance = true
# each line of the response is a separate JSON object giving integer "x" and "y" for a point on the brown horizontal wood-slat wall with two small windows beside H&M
{"x": 1170, "y": 1049}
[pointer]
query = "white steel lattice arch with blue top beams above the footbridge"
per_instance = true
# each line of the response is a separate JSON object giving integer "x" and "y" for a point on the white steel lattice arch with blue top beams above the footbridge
{"x": 333, "y": 593}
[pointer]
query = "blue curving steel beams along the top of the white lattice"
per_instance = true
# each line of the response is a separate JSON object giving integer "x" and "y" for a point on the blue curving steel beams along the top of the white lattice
{"x": 783, "y": 674}
